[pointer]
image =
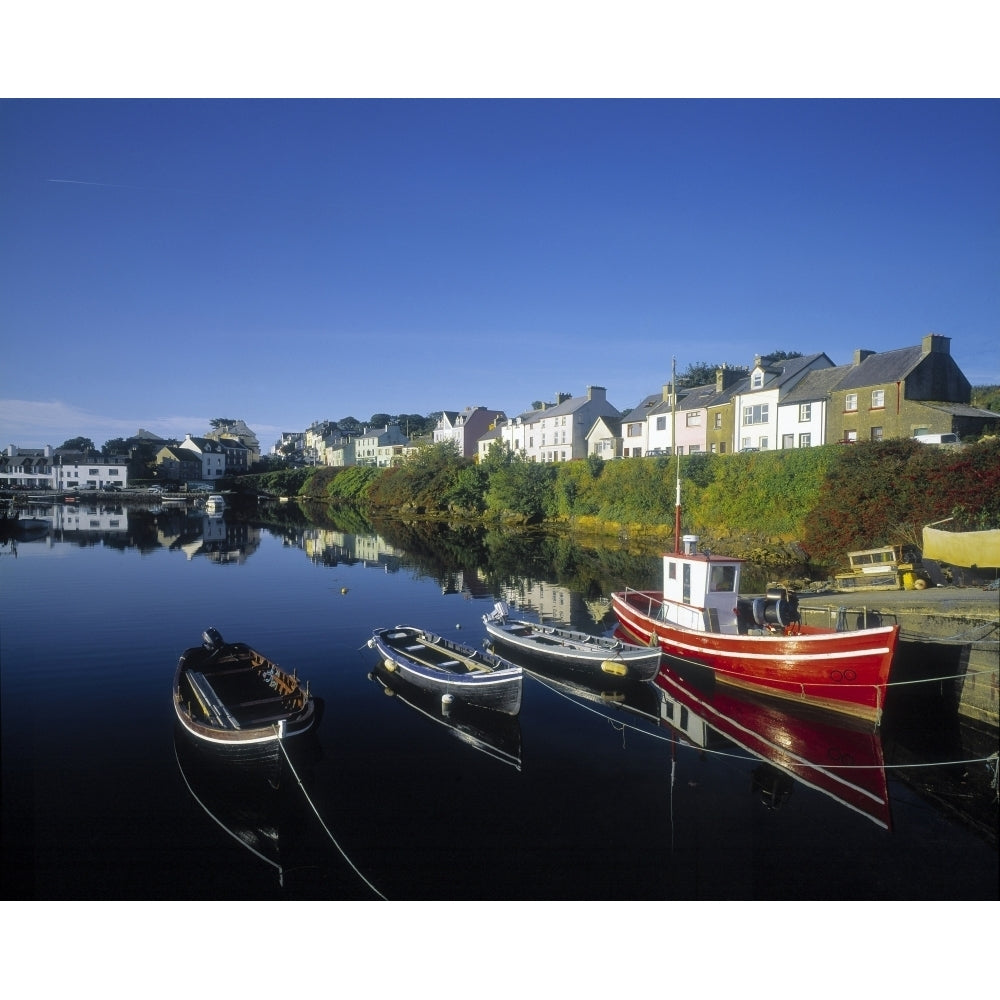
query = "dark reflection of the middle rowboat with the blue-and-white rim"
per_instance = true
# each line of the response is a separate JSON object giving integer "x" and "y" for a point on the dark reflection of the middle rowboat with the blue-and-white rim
{"x": 493, "y": 733}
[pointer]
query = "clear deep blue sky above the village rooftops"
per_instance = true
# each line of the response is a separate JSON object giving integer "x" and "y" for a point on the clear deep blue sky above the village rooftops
{"x": 164, "y": 262}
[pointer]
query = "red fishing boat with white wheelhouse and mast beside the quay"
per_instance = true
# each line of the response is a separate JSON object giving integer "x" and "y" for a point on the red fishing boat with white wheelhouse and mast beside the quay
{"x": 758, "y": 643}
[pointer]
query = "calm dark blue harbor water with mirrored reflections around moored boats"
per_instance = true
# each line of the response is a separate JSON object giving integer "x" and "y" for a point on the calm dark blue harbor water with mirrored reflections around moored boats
{"x": 658, "y": 792}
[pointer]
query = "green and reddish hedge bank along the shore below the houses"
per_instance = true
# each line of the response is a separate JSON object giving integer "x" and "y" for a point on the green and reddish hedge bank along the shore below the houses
{"x": 800, "y": 506}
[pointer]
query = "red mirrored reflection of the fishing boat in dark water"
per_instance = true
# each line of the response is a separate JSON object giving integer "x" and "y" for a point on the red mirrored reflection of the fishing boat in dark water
{"x": 833, "y": 754}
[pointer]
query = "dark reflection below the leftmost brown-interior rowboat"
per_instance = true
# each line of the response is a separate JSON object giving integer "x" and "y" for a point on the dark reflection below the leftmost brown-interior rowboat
{"x": 255, "y": 798}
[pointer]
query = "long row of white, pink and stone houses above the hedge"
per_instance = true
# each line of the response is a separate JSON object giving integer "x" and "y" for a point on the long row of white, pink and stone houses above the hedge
{"x": 791, "y": 403}
